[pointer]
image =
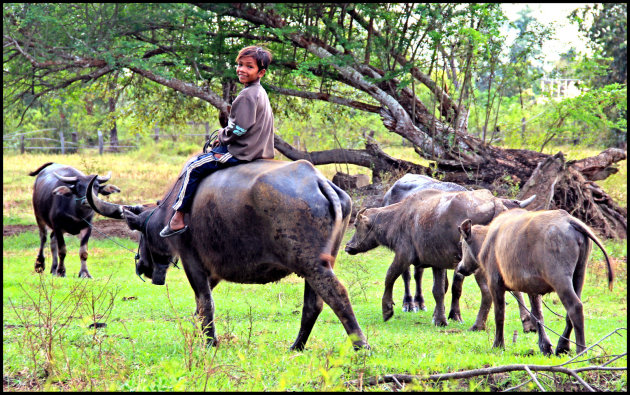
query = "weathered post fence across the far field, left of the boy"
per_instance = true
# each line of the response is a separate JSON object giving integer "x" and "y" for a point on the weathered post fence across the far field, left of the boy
{"x": 21, "y": 142}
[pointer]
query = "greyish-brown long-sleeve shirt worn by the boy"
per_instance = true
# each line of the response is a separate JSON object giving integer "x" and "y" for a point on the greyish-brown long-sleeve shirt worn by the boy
{"x": 249, "y": 134}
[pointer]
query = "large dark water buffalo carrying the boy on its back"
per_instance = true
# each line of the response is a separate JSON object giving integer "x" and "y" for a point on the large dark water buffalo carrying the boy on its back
{"x": 252, "y": 223}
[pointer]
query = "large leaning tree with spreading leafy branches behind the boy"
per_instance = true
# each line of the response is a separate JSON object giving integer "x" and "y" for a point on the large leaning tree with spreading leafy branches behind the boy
{"x": 413, "y": 64}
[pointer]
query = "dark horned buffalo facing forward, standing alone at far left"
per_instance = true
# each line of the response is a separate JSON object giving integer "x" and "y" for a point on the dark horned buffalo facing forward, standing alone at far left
{"x": 59, "y": 204}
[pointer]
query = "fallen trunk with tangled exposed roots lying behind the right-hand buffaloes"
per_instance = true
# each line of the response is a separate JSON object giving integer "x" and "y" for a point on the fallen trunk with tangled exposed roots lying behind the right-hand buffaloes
{"x": 556, "y": 183}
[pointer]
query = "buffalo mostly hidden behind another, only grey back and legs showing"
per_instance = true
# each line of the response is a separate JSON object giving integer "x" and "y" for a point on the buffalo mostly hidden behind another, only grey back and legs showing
{"x": 405, "y": 186}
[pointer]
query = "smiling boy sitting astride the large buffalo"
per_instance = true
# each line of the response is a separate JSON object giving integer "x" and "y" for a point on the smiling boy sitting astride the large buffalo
{"x": 248, "y": 135}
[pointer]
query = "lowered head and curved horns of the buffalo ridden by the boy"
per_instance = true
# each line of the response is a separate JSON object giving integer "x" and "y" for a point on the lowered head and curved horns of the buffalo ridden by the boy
{"x": 154, "y": 256}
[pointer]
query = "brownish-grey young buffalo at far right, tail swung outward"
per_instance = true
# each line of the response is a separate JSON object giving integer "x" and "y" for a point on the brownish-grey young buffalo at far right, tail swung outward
{"x": 535, "y": 252}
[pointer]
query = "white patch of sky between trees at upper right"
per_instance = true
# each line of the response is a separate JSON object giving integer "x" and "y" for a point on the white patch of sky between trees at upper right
{"x": 555, "y": 14}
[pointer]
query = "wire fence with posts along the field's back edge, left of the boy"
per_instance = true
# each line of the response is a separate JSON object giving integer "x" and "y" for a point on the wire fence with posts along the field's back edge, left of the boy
{"x": 68, "y": 143}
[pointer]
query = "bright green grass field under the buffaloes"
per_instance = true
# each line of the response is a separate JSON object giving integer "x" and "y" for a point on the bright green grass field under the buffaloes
{"x": 150, "y": 342}
